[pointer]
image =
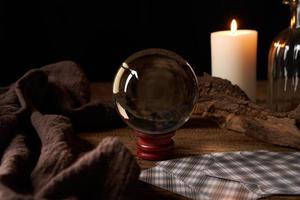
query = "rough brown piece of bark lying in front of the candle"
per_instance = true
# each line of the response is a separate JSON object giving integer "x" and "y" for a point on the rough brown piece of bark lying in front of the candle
{"x": 228, "y": 105}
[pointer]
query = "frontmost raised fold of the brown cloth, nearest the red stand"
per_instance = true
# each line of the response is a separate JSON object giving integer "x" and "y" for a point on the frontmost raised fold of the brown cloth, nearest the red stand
{"x": 94, "y": 175}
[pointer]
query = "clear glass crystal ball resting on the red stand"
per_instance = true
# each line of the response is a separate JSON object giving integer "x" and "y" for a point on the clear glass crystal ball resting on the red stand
{"x": 155, "y": 90}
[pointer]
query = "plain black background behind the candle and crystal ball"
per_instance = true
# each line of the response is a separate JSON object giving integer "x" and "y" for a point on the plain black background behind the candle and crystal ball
{"x": 99, "y": 35}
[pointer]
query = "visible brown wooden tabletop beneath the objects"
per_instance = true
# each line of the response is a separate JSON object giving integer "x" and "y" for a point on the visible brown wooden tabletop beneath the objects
{"x": 193, "y": 139}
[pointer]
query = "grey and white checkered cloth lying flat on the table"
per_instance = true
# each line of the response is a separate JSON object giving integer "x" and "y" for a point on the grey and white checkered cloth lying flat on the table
{"x": 235, "y": 175}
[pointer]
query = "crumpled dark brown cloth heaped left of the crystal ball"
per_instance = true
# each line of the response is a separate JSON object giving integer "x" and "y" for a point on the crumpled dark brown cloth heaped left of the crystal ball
{"x": 41, "y": 156}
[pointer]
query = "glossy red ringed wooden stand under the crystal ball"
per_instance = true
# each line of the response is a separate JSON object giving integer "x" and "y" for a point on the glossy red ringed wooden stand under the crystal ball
{"x": 154, "y": 146}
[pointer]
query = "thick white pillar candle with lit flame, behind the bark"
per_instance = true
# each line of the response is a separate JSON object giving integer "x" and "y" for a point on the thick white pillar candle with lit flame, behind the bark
{"x": 233, "y": 57}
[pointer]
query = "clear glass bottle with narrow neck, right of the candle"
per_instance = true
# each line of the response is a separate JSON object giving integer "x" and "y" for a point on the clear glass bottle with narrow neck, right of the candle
{"x": 284, "y": 64}
